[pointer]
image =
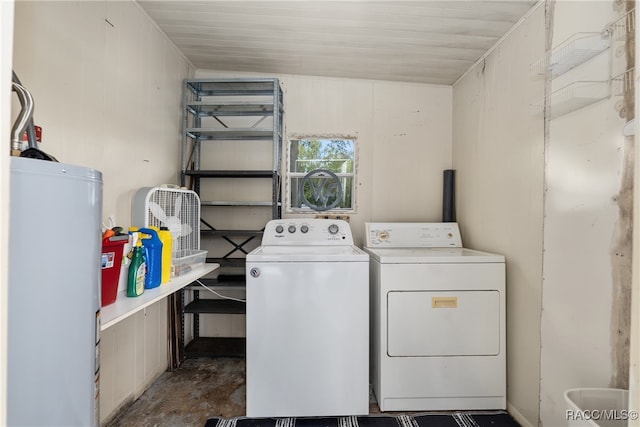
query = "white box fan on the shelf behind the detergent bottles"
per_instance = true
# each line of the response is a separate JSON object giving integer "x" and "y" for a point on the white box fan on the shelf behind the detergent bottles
{"x": 178, "y": 210}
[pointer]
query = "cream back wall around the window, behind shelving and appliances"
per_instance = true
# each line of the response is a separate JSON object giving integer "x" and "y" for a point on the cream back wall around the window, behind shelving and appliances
{"x": 404, "y": 143}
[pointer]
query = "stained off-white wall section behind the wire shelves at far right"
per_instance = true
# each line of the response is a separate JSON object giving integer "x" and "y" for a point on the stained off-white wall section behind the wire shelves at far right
{"x": 587, "y": 239}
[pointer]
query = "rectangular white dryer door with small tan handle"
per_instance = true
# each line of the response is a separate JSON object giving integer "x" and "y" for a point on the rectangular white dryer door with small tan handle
{"x": 443, "y": 323}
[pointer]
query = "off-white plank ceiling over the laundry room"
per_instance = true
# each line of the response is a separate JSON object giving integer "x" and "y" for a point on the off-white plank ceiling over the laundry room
{"x": 413, "y": 41}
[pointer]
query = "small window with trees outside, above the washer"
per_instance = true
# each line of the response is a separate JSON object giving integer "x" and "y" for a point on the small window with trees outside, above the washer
{"x": 321, "y": 174}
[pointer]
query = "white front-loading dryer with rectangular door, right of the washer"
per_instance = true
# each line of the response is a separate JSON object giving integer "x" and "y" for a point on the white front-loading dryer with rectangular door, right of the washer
{"x": 437, "y": 319}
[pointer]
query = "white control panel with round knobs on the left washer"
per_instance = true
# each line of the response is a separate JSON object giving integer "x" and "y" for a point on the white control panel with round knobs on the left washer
{"x": 303, "y": 231}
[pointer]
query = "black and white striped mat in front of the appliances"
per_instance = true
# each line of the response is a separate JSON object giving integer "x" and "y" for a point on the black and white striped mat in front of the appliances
{"x": 436, "y": 419}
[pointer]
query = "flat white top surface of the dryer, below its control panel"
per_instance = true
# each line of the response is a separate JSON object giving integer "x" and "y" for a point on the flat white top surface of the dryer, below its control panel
{"x": 431, "y": 256}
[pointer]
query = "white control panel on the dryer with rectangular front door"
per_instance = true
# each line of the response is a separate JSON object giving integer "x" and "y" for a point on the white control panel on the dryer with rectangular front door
{"x": 413, "y": 235}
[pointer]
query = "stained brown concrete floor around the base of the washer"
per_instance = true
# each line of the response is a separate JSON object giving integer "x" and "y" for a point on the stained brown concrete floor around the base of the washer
{"x": 198, "y": 390}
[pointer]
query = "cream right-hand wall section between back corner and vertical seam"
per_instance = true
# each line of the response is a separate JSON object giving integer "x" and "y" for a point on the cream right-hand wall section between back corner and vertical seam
{"x": 498, "y": 154}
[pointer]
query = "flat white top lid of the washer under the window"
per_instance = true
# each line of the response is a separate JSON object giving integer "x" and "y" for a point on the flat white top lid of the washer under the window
{"x": 307, "y": 254}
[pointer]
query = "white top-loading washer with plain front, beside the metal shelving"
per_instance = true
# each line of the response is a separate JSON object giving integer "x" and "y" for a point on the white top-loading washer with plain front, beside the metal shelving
{"x": 307, "y": 321}
